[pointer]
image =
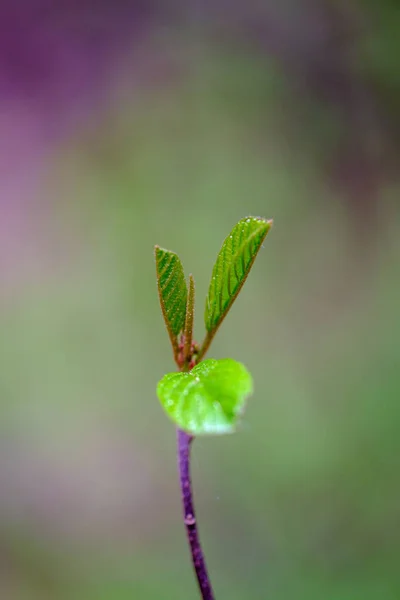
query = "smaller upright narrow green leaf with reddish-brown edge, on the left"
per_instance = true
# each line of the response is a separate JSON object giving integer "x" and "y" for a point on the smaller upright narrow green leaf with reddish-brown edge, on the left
{"x": 172, "y": 291}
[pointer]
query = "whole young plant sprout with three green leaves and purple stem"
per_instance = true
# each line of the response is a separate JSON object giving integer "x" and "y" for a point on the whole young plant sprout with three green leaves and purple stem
{"x": 204, "y": 396}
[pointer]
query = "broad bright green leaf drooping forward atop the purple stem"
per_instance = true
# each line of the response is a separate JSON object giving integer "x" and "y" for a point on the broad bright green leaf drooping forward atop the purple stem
{"x": 209, "y": 399}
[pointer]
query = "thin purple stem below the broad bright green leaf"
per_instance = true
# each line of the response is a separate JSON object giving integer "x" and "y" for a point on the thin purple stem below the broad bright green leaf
{"x": 184, "y": 441}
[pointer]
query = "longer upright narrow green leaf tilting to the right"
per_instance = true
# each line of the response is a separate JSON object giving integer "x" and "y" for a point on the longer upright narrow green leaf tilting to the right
{"x": 232, "y": 267}
